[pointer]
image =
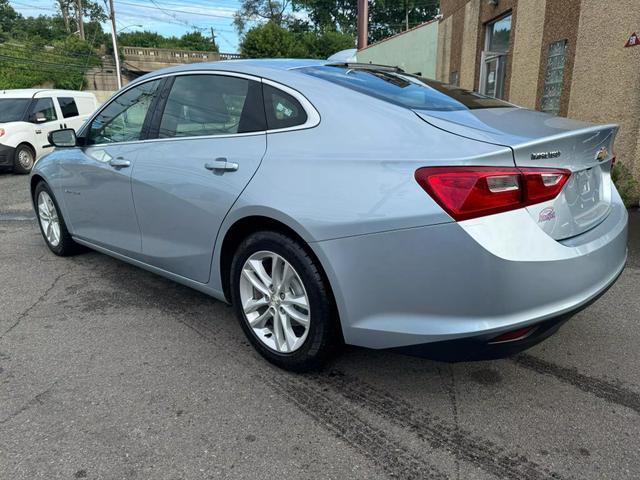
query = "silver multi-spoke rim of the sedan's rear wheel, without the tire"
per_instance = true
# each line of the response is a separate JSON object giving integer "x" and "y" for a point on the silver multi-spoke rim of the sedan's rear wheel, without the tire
{"x": 275, "y": 302}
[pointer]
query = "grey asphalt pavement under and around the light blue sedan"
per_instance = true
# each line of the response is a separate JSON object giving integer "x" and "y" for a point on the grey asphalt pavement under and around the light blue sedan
{"x": 110, "y": 372}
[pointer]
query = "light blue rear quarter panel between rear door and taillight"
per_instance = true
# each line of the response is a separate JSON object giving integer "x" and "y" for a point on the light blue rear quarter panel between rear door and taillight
{"x": 353, "y": 174}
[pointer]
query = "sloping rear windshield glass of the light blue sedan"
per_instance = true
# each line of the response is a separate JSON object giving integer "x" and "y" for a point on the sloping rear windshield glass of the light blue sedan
{"x": 403, "y": 89}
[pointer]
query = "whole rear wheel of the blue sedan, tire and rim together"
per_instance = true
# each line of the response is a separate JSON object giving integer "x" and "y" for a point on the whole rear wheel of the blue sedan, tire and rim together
{"x": 300, "y": 351}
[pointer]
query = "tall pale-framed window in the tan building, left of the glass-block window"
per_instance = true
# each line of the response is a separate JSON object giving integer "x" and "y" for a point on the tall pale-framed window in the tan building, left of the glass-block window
{"x": 494, "y": 57}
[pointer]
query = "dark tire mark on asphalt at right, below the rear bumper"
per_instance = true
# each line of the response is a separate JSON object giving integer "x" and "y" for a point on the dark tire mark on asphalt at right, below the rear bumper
{"x": 569, "y": 375}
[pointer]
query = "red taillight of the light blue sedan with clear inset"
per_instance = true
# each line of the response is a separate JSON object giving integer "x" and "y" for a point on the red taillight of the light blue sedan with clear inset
{"x": 470, "y": 192}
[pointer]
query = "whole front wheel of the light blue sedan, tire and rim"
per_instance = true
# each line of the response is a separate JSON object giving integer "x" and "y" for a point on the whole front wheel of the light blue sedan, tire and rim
{"x": 52, "y": 224}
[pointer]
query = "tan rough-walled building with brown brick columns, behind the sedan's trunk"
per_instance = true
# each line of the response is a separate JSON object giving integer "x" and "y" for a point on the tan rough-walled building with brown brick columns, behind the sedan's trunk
{"x": 565, "y": 57}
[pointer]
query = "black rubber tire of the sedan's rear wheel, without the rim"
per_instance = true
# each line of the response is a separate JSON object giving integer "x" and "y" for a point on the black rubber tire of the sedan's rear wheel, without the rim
{"x": 320, "y": 339}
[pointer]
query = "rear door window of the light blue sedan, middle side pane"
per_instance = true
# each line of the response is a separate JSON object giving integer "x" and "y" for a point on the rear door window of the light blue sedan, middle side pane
{"x": 202, "y": 105}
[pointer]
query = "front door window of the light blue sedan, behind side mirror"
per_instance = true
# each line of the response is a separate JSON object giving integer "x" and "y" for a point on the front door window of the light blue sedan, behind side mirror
{"x": 123, "y": 119}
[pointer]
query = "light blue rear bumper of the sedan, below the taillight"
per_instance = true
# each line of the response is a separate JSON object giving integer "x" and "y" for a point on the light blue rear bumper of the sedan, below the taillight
{"x": 440, "y": 283}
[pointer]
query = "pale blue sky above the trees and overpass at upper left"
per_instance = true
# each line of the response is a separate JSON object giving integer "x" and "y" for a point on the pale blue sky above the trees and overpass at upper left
{"x": 167, "y": 17}
